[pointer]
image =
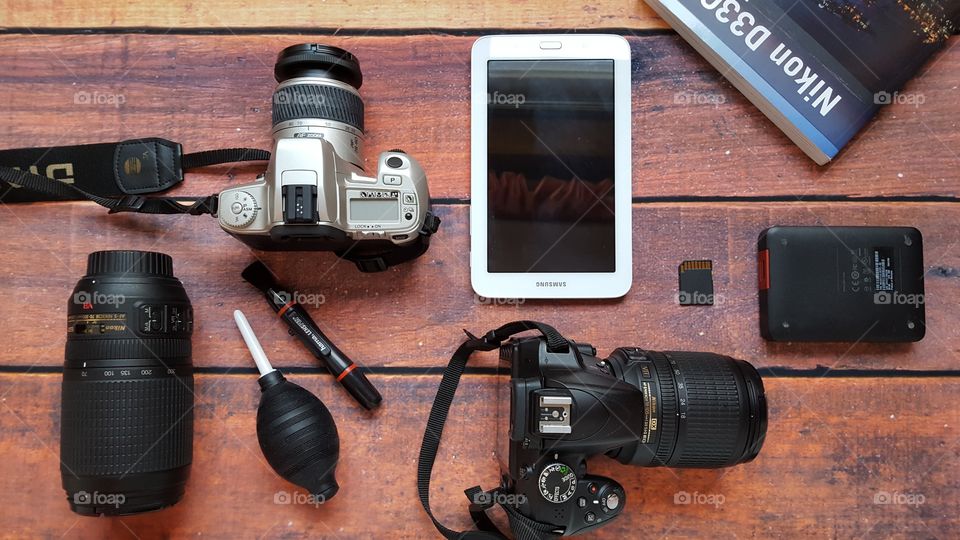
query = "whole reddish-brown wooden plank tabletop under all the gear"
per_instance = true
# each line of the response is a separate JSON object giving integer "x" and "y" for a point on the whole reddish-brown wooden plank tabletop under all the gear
{"x": 847, "y": 423}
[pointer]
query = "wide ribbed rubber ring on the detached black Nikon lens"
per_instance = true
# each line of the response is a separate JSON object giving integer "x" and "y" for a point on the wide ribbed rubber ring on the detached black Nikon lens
{"x": 125, "y": 427}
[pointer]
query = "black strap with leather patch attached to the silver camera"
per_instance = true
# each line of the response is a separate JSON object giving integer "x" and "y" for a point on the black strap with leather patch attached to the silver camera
{"x": 113, "y": 175}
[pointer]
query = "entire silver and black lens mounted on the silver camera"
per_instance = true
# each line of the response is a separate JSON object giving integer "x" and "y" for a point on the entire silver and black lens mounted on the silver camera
{"x": 318, "y": 97}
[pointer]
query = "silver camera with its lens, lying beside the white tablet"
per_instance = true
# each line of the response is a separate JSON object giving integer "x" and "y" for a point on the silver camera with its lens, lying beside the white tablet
{"x": 315, "y": 194}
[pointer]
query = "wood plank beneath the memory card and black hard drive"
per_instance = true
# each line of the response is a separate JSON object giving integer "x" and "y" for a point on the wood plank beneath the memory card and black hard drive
{"x": 411, "y": 316}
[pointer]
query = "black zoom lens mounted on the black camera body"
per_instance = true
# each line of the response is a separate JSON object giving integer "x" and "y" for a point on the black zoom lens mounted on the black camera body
{"x": 701, "y": 410}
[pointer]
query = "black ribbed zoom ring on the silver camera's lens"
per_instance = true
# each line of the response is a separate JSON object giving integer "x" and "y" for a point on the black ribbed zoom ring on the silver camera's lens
{"x": 317, "y": 101}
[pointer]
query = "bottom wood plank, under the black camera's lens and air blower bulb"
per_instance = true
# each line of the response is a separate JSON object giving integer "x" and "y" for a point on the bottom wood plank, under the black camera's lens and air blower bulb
{"x": 832, "y": 446}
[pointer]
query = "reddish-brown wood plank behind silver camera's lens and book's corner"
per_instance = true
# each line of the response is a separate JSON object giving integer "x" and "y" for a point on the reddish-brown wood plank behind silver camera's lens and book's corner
{"x": 694, "y": 135}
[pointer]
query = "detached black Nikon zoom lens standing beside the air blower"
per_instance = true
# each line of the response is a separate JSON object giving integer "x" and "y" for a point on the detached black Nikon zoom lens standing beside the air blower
{"x": 126, "y": 438}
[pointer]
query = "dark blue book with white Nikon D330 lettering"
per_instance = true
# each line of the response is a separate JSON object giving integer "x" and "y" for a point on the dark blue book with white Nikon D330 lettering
{"x": 820, "y": 69}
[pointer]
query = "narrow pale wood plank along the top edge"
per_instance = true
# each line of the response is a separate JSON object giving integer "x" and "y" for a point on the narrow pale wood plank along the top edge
{"x": 336, "y": 14}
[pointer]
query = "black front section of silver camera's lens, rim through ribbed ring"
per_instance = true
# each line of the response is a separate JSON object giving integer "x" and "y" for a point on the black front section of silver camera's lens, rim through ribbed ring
{"x": 328, "y": 92}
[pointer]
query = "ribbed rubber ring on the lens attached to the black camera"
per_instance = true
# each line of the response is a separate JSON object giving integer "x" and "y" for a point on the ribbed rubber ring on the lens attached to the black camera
{"x": 714, "y": 417}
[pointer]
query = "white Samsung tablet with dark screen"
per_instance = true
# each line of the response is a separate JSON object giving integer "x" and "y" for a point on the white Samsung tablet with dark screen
{"x": 550, "y": 210}
